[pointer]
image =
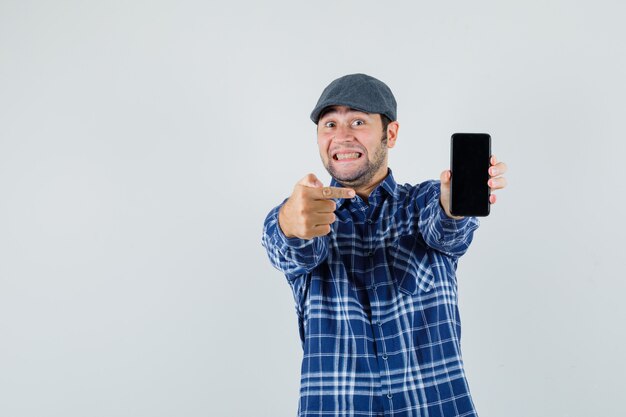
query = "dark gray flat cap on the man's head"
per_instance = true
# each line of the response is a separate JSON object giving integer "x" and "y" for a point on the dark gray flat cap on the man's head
{"x": 360, "y": 92}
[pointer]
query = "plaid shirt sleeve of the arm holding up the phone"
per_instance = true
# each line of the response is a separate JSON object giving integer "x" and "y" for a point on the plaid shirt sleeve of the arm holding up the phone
{"x": 441, "y": 232}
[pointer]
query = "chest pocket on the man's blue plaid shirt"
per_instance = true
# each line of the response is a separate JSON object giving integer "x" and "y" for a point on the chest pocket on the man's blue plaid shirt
{"x": 410, "y": 265}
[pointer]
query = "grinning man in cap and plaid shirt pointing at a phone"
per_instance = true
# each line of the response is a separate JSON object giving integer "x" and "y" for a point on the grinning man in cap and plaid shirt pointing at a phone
{"x": 372, "y": 267}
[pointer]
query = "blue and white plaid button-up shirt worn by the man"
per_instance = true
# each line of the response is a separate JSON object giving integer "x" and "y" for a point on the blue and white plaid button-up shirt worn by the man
{"x": 376, "y": 301}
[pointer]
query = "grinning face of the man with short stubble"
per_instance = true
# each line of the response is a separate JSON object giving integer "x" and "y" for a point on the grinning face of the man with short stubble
{"x": 353, "y": 146}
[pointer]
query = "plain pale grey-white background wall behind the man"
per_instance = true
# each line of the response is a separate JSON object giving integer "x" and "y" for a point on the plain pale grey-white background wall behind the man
{"x": 143, "y": 142}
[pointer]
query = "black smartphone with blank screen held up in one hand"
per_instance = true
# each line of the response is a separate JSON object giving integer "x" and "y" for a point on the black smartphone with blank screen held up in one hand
{"x": 470, "y": 155}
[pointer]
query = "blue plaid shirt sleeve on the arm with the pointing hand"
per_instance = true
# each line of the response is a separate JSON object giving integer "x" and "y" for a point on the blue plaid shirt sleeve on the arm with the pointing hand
{"x": 291, "y": 256}
